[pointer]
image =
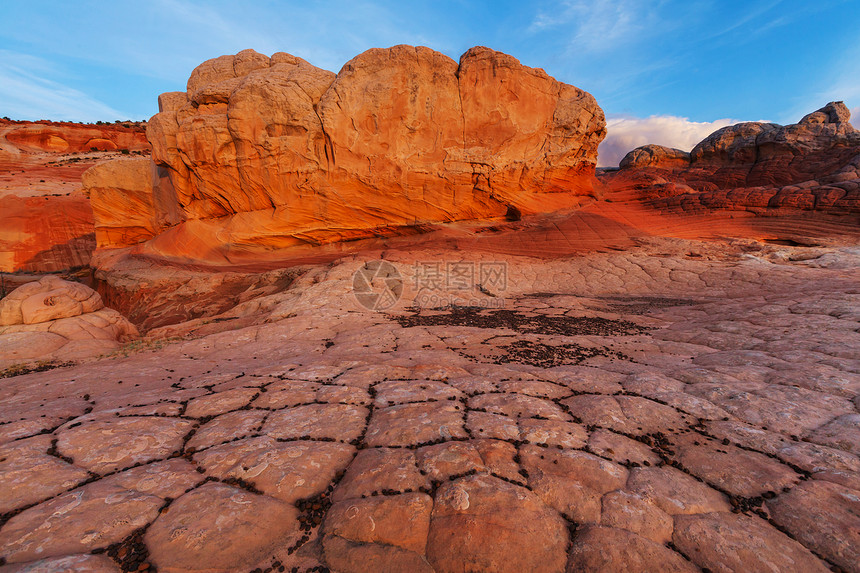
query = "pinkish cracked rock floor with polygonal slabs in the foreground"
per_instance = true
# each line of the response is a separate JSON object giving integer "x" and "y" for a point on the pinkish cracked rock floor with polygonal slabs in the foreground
{"x": 641, "y": 409}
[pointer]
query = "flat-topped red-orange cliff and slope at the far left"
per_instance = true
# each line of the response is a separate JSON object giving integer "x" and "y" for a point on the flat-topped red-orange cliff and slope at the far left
{"x": 46, "y": 223}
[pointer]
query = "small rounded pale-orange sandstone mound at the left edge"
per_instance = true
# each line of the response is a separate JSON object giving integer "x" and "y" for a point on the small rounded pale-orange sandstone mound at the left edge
{"x": 53, "y": 319}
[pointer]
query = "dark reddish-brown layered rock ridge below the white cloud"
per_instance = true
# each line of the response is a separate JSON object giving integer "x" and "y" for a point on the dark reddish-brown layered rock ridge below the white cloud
{"x": 813, "y": 165}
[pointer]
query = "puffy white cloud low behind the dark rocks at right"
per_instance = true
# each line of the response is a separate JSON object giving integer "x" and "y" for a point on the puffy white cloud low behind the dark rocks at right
{"x": 627, "y": 133}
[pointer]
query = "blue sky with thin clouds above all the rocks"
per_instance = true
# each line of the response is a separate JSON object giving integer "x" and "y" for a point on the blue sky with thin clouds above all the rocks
{"x": 654, "y": 66}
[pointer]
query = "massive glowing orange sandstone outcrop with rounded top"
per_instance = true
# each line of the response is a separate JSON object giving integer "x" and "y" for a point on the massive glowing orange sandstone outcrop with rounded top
{"x": 263, "y": 153}
